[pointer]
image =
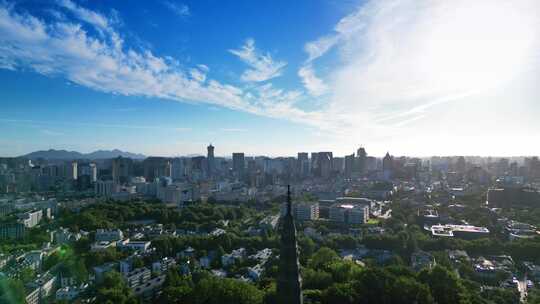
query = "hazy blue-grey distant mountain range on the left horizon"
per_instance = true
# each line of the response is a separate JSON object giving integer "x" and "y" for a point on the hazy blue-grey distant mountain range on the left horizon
{"x": 68, "y": 155}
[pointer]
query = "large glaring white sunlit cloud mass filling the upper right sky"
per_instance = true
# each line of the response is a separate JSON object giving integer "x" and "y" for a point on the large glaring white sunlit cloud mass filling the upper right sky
{"x": 398, "y": 60}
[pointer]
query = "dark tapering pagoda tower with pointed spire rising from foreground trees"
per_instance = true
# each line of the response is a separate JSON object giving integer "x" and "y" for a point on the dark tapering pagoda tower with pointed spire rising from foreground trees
{"x": 289, "y": 287}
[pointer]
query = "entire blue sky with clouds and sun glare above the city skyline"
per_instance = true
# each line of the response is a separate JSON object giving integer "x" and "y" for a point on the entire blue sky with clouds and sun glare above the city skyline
{"x": 273, "y": 78}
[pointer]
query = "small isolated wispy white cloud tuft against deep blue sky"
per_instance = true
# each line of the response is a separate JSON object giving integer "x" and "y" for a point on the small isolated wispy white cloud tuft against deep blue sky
{"x": 263, "y": 67}
